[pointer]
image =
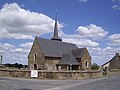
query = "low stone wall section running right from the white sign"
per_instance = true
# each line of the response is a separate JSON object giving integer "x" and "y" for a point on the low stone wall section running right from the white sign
{"x": 69, "y": 74}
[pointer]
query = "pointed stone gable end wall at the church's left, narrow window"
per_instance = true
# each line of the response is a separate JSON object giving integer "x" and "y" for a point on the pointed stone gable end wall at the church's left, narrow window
{"x": 36, "y": 58}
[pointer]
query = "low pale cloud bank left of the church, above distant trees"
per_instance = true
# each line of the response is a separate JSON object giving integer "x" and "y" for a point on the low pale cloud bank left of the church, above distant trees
{"x": 13, "y": 54}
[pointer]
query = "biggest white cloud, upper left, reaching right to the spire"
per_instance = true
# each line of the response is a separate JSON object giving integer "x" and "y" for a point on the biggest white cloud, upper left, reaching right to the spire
{"x": 18, "y": 23}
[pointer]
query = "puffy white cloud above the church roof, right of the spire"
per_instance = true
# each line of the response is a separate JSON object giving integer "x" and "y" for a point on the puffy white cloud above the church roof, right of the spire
{"x": 87, "y": 36}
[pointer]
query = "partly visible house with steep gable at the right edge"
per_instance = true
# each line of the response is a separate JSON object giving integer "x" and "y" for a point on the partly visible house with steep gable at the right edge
{"x": 114, "y": 63}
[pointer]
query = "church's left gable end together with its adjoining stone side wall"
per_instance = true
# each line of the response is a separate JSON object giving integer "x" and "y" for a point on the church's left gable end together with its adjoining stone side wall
{"x": 39, "y": 61}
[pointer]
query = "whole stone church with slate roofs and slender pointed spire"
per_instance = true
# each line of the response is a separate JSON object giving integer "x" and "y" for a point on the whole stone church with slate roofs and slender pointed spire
{"x": 50, "y": 54}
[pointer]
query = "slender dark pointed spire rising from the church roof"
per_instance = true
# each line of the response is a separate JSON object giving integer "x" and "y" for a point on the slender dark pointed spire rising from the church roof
{"x": 55, "y": 35}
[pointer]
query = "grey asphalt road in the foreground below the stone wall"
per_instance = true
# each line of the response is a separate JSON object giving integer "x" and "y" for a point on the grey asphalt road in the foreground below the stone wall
{"x": 106, "y": 83}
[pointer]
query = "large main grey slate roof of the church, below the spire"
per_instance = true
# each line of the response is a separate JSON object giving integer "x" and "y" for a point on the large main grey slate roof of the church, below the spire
{"x": 53, "y": 48}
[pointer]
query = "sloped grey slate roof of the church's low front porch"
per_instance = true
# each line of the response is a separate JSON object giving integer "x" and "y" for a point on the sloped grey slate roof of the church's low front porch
{"x": 68, "y": 59}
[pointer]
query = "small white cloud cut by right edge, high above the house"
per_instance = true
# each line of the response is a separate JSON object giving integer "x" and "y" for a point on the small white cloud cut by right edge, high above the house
{"x": 114, "y": 40}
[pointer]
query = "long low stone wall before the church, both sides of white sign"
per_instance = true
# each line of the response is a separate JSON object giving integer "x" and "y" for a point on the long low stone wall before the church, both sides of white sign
{"x": 60, "y": 75}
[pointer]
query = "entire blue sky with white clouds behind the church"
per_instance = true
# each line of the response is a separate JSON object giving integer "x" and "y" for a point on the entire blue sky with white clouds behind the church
{"x": 94, "y": 24}
